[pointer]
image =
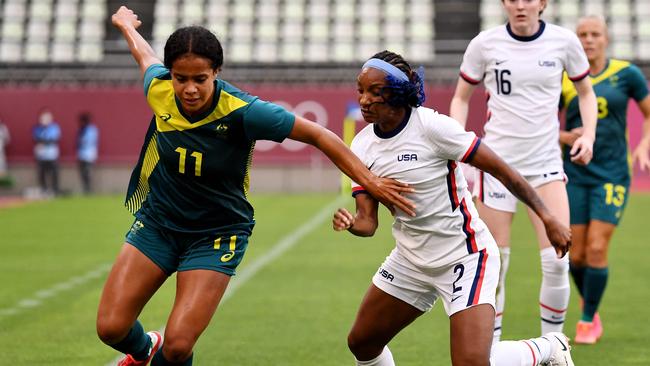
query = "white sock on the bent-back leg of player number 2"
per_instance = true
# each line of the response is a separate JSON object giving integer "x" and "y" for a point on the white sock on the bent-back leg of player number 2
{"x": 531, "y": 352}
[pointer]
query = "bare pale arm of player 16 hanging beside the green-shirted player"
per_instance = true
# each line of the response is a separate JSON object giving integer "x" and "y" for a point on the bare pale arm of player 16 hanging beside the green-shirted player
{"x": 582, "y": 149}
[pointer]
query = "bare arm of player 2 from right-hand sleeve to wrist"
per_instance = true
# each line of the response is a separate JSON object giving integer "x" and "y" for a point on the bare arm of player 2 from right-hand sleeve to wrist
{"x": 488, "y": 161}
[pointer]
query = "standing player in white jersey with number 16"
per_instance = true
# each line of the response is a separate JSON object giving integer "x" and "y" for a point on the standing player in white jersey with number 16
{"x": 521, "y": 65}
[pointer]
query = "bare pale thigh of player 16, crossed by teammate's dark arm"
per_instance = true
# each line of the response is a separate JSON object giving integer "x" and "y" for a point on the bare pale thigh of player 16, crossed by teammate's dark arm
{"x": 555, "y": 198}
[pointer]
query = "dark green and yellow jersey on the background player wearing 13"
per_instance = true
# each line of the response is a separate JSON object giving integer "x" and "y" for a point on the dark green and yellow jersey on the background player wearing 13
{"x": 614, "y": 86}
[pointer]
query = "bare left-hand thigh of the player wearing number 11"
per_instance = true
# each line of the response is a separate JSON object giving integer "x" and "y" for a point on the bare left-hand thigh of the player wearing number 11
{"x": 131, "y": 282}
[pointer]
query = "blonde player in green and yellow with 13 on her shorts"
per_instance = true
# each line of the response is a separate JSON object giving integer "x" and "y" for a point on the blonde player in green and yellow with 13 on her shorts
{"x": 598, "y": 192}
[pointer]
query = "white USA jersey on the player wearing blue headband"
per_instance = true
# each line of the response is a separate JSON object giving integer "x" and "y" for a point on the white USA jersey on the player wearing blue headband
{"x": 423, "y": 152}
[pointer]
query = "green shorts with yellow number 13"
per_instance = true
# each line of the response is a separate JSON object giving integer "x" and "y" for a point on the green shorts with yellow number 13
{"x": 604, "y": 202}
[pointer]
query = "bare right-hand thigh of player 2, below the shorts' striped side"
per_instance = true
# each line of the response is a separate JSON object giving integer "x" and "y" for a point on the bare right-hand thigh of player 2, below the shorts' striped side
{"x": 471, "y": 335}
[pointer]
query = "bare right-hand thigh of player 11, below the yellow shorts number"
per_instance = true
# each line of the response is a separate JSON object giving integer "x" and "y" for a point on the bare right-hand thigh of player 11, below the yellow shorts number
{"x": 198, "y": 293}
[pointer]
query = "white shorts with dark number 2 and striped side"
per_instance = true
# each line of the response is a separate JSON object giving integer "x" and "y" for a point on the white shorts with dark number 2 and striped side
{"x": 468, "y": 282}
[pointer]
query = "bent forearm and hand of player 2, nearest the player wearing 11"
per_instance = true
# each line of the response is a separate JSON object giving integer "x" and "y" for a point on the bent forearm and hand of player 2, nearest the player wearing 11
{"x": 364, "y": 222}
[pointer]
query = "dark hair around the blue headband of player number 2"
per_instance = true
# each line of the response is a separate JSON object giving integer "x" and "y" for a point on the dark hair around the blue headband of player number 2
{"x": 402, "y": 93}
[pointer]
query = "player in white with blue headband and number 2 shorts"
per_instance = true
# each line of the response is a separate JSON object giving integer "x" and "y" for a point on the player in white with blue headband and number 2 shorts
{"x": 444, "y": 252}
